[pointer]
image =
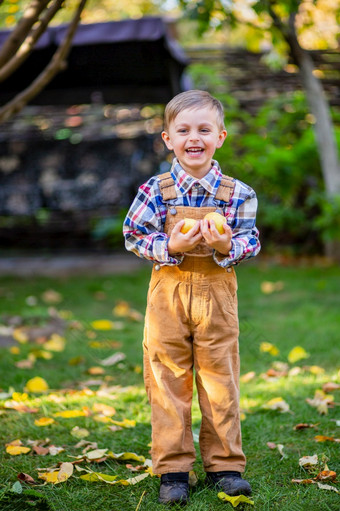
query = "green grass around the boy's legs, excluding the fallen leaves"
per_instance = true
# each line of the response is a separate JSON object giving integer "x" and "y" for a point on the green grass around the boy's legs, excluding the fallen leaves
{"x": 304, "y": 312}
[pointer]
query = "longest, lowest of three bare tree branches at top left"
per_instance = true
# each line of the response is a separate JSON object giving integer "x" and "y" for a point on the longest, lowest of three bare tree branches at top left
{"x": 56, "y": 64}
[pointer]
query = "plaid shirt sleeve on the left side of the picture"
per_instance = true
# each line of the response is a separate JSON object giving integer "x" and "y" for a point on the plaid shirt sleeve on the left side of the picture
{"x": 143, "y": 226}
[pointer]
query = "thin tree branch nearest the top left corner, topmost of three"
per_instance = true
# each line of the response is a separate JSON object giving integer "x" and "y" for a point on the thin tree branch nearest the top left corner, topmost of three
{"x": 18, "y": 35}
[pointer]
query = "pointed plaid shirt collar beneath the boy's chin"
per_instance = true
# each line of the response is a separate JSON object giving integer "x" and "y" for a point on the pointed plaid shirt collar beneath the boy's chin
{"x": 185, "y": 182}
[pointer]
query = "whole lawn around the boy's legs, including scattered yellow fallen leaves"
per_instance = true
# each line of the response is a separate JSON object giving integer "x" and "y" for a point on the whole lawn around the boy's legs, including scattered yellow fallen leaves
{"x": 65, "y": 331}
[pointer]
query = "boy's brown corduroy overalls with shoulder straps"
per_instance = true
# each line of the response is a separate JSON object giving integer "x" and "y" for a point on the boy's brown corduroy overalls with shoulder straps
{"x": 192, "y": 323}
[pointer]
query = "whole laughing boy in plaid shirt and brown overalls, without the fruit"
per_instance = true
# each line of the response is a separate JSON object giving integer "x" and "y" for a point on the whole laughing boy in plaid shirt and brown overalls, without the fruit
{"x": 191, "y": 318}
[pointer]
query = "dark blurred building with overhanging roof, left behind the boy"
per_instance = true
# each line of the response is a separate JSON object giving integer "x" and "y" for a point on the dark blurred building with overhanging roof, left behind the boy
{"x": 74, "y": 158}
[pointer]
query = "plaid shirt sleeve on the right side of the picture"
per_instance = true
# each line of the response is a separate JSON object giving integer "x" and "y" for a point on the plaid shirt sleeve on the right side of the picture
{"x": 245, "y": 241}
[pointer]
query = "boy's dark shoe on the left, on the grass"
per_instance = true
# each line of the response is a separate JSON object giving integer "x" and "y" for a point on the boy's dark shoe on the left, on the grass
{"x": 174, "y": 488}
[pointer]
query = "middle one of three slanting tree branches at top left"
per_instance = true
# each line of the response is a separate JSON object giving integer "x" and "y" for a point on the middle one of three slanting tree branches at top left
{"x": 28, "y": 44}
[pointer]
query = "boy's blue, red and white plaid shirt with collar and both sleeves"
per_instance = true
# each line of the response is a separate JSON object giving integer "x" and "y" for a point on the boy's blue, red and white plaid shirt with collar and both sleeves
{"x": 144, "y": 223}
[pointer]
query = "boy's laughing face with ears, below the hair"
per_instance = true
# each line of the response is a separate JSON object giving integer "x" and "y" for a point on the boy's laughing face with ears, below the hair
{"x": 194, "y": 136}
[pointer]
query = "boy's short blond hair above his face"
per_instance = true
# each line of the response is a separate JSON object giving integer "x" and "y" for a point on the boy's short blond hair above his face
{"x": 191, "y": 100}
